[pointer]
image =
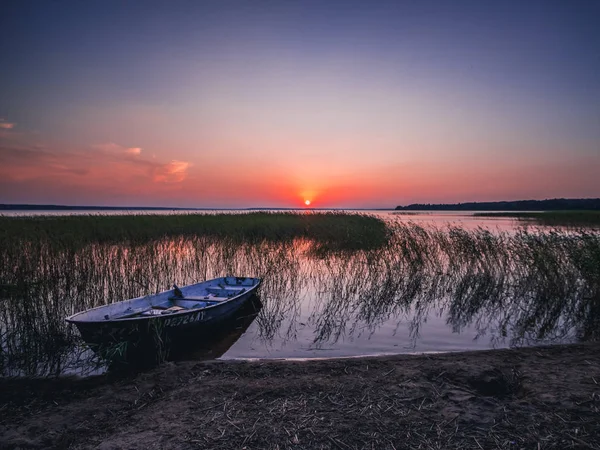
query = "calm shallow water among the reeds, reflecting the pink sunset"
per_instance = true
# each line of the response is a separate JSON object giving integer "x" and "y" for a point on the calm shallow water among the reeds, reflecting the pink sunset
{"x": 448, "y": 290}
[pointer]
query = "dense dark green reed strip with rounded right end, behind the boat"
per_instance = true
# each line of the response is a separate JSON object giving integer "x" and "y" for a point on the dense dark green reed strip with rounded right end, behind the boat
{"x": 332, "y": 229}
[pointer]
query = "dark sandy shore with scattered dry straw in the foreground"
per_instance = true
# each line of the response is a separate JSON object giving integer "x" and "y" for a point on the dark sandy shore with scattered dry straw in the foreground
{"x": 528, "y": 398}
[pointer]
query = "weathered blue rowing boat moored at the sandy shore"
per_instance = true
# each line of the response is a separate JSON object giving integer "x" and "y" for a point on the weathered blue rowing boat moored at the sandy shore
{"x": 159, "y": 321}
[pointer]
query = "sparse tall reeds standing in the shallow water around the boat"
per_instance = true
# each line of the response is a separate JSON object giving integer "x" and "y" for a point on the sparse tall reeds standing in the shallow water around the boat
{"x": 529, "y": 286}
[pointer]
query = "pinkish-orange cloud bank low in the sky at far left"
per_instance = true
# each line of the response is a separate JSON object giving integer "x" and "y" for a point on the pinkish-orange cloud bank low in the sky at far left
{"x": 107, "y": 169}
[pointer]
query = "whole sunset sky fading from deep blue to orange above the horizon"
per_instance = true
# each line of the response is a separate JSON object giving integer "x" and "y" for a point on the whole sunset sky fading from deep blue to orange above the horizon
{"x": 347, "y": 104}
